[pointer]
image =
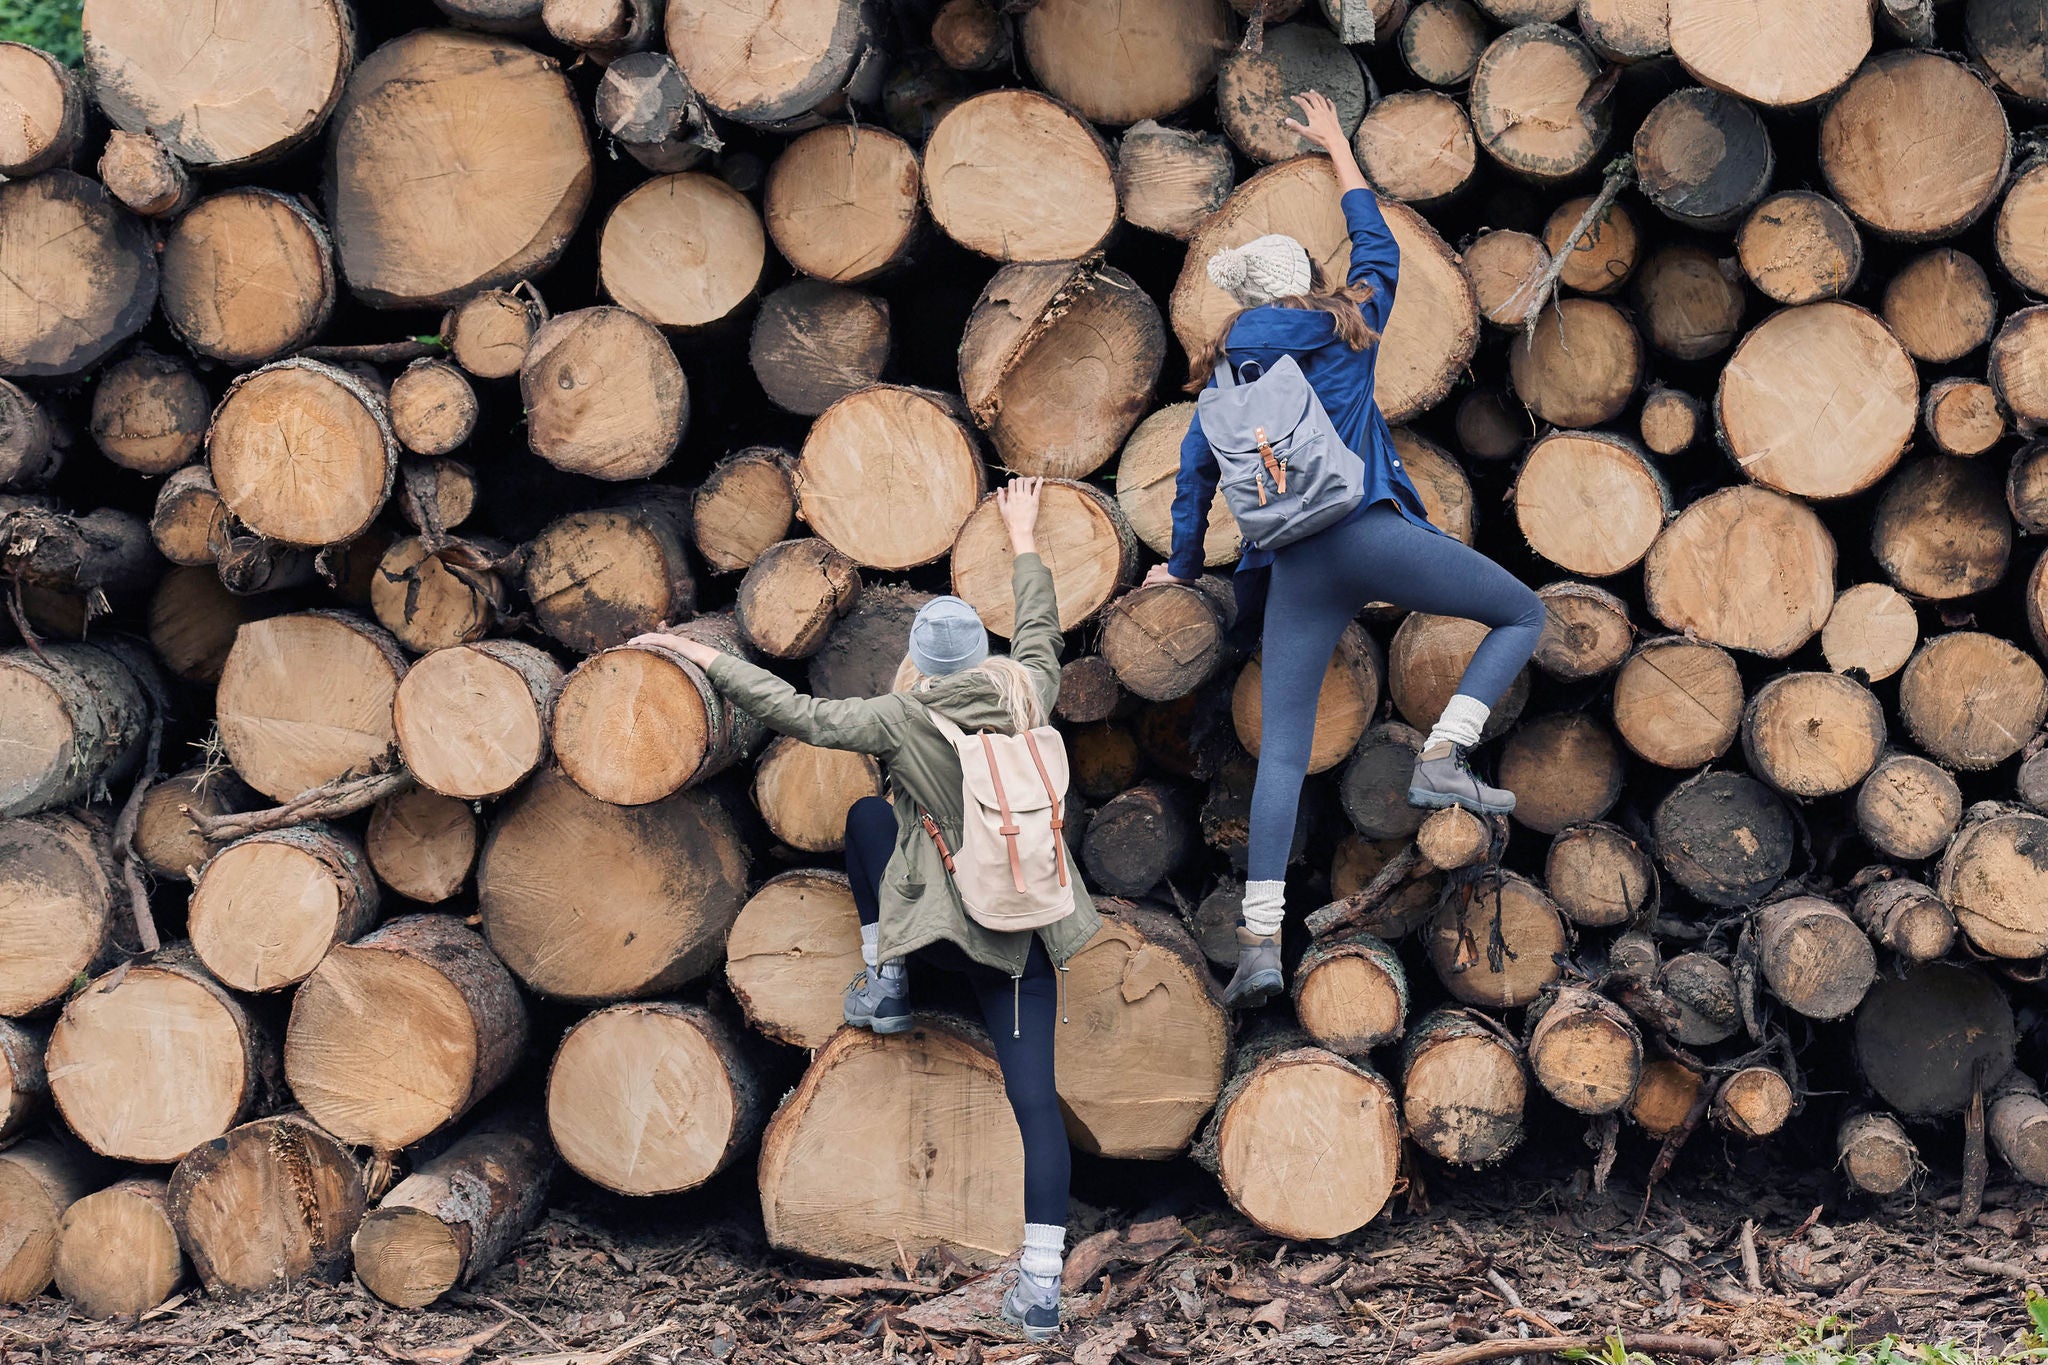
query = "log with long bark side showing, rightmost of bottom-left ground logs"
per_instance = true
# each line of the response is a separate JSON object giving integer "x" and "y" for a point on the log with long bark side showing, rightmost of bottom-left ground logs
{"x": 458, "y": 1215}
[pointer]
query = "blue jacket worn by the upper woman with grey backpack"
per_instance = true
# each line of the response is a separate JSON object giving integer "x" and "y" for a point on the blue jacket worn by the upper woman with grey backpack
{"x": 1342, "y": 380}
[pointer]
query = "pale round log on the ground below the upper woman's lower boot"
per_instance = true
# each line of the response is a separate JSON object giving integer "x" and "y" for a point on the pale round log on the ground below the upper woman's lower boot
{"x": 1304, "y": 1143}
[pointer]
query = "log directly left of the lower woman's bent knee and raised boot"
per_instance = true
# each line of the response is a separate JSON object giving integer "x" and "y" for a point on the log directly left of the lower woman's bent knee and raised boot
{"x": 792, "y": 953}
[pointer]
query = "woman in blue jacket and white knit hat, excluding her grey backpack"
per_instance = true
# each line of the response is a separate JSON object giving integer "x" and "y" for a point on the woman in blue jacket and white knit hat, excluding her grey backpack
{"x": 1383, "y": 552}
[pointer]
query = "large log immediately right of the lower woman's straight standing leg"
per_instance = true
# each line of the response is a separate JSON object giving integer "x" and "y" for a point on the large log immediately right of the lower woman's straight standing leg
{"x": 1138, "y": 981}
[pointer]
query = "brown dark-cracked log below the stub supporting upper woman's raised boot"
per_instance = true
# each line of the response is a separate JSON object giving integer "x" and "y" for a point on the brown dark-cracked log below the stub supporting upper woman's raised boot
{"x": 1496, "y": 946}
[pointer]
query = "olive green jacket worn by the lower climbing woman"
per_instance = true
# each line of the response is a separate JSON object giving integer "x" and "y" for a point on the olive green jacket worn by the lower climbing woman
{"x": 921, "y": 904}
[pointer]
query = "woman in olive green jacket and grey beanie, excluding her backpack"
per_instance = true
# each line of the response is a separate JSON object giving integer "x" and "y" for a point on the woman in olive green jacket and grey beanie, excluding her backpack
{"x": 908, "y": 904}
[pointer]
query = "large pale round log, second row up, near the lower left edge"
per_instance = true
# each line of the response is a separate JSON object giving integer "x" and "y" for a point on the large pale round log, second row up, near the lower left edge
{"x": 157, "y": 1059}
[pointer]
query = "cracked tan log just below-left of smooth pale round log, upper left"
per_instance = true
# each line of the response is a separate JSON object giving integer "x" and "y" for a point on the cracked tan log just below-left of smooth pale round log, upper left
{"x": 603, "y": 394}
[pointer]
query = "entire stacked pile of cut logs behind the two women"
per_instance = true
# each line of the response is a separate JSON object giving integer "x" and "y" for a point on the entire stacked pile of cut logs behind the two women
{"x": 355, "y": 871}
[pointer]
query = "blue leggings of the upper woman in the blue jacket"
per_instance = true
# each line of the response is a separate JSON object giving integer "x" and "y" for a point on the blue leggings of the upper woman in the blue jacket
{"x": 1318, "y": 588}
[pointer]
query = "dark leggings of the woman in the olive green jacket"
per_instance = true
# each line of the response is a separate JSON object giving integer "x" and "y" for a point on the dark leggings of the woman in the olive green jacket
{"x": 1021, "y": 1018}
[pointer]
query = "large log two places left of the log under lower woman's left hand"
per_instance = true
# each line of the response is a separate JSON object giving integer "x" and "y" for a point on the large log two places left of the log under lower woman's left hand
{"x": 306, "y": 699}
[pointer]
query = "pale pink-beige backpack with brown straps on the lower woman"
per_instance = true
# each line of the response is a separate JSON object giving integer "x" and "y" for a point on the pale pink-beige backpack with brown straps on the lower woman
{"x": 1013, "y": 861}
